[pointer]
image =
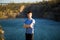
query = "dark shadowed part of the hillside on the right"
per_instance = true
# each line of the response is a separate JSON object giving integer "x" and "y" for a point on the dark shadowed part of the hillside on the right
{"x": 44, "y": 10}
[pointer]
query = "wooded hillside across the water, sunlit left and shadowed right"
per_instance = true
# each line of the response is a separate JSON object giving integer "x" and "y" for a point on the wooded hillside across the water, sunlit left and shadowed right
{"x": 49, "y": 10}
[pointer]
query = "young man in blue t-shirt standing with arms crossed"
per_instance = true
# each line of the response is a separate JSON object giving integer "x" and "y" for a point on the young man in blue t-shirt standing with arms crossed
{"x": 29, "y": 25}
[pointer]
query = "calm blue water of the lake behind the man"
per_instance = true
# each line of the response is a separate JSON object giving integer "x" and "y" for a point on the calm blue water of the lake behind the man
{"x": 44, "y": 29}
